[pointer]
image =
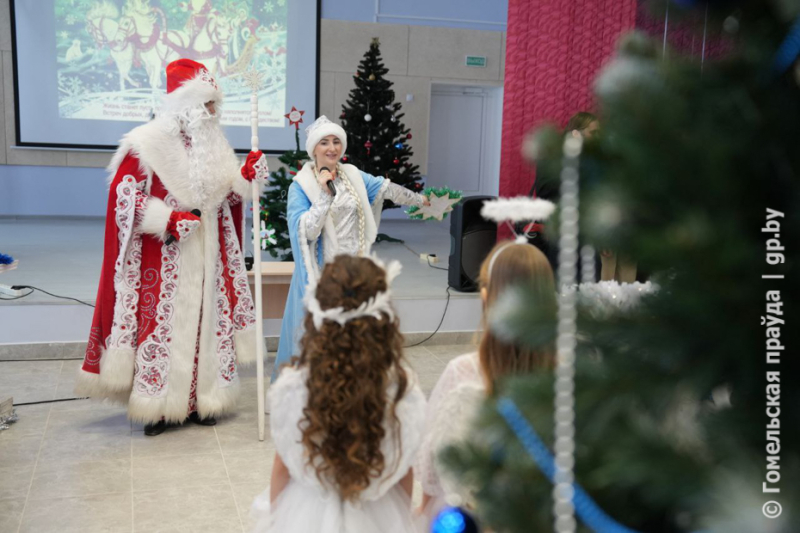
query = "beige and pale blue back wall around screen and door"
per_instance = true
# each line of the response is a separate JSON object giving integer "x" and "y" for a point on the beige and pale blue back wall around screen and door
{"x": 417, "y": 56}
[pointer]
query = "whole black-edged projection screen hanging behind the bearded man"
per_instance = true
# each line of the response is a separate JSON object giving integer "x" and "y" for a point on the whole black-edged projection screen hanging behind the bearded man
{"x": 88, "y": 71}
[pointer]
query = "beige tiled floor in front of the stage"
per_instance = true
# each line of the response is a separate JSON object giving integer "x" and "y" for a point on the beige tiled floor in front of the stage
{"x": 82, "y": 466}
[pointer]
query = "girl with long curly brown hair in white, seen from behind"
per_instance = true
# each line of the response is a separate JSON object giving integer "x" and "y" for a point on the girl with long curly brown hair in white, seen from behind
{"x": 347, "y": 416}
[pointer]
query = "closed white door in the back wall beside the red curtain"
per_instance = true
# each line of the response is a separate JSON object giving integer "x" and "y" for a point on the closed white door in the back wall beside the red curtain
{"x": 463, "y": 151}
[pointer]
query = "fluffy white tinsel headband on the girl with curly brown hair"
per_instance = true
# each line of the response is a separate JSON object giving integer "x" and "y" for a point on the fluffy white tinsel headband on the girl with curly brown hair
{"x": 380, "y": 303}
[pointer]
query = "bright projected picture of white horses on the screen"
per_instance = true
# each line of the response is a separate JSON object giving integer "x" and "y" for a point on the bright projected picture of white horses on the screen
{"x": 112, "y": 66}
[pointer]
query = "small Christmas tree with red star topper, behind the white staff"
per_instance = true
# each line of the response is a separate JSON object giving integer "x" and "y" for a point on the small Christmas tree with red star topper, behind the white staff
{"x": 274, "y": 226}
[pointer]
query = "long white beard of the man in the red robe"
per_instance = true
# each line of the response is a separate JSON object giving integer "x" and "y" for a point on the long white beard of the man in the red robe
{"x": 212, "y": 162}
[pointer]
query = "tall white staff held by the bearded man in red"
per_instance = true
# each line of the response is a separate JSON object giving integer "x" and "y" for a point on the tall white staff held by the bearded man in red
{"x": 253, "y": 79}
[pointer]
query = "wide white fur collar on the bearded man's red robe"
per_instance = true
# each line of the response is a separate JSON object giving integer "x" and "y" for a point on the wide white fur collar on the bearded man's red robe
{"x": 162, "y": 152}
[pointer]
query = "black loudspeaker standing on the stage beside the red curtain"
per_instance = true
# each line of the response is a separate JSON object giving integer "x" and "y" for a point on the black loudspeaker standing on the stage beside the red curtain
{"x": 471, "y": 240}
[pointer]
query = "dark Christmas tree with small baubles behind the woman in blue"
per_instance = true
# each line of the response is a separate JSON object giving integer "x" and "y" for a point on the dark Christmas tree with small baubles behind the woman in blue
{"x": 377, "y": 140}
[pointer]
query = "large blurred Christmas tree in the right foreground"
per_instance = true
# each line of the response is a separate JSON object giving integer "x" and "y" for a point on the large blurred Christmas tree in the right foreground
{"x": 685, "y": 405}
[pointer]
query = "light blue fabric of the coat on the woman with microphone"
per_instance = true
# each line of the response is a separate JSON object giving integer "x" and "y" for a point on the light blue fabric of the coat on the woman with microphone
{"x": 298, "y": 203}
